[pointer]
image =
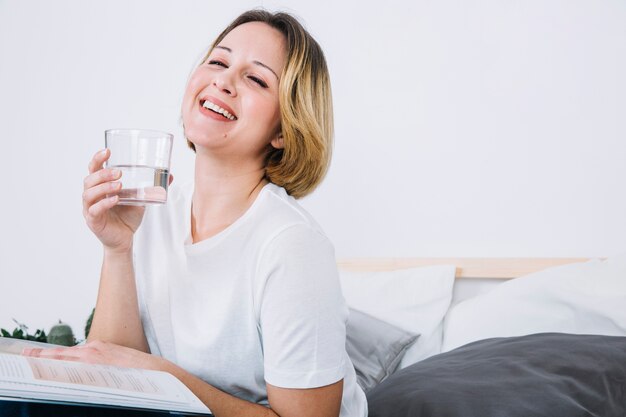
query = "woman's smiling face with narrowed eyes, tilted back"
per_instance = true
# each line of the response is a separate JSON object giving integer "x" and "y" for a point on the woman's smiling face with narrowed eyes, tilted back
{"x": 231, "y": 100}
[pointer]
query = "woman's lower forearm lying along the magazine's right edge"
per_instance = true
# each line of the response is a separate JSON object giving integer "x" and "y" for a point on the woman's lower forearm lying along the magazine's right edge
{"x": 220, "y": 403}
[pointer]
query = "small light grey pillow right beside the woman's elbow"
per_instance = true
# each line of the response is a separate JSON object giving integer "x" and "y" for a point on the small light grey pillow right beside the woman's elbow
{"x": 375, "y": 347}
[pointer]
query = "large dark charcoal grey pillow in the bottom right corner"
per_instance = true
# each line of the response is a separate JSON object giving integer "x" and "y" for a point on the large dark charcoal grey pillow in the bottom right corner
{"x": 547, "y": 374}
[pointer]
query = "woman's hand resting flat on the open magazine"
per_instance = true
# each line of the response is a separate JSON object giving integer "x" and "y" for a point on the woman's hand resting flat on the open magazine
{"x": 102, "y": 353}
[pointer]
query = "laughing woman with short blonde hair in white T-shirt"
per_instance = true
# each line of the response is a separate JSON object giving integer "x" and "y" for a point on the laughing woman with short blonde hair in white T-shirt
{"x": 232, "y": 287}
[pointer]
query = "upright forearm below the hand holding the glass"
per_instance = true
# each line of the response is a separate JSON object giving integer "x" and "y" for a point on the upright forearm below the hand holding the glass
{"x": 116, "y": 319}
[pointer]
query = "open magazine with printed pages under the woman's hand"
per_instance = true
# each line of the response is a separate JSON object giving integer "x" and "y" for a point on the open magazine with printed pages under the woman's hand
{"x": 37, "y": 379}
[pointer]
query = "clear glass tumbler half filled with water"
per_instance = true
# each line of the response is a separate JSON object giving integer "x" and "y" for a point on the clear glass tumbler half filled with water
{"x": 143, "y": 157}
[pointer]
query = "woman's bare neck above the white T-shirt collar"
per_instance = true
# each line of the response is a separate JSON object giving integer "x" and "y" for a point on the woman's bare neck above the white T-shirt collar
{"x": 223, "y": 192}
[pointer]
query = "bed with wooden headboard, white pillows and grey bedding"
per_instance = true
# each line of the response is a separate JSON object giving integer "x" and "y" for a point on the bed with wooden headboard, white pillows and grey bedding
{"x": 492, "y": 337}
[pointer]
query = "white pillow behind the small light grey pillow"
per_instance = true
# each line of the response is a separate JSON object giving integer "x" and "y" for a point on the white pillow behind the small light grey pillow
{"x": 414, "y": 299}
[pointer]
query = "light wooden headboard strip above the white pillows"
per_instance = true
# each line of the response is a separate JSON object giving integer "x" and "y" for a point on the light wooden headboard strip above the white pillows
{"x": 500, "y": 268}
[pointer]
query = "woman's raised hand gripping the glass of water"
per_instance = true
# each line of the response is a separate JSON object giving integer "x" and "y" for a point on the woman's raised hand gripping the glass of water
{"x": 113, "y": 224}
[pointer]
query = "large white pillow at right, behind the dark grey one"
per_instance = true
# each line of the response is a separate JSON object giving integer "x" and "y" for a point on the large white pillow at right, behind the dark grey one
{"x": 581, "y": 298}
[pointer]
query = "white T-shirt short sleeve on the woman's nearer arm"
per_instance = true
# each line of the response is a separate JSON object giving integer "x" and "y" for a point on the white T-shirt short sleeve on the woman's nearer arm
{"x": 302, "y": 313}
